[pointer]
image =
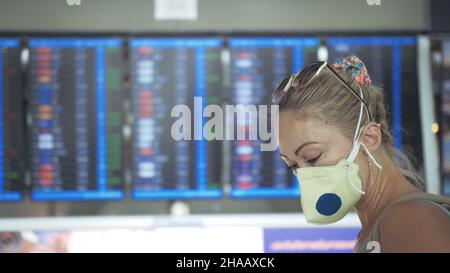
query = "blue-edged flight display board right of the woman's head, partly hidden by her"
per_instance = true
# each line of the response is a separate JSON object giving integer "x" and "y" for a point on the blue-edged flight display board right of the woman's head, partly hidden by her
{"x": 392, "y": 64}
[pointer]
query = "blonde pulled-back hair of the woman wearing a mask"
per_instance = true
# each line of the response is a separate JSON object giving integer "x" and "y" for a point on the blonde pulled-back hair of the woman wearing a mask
{"x": 326, "y": 99}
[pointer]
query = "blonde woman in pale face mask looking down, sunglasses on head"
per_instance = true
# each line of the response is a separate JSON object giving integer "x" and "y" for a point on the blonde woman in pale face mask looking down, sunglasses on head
{"x": 334, "y": 135}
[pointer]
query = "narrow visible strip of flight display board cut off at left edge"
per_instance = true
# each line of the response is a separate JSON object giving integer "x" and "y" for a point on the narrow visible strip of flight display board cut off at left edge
{"x": 11, "y": 121}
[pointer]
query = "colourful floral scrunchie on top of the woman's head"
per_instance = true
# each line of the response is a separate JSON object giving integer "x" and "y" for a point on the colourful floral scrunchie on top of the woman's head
{"x": 354, "y": 68}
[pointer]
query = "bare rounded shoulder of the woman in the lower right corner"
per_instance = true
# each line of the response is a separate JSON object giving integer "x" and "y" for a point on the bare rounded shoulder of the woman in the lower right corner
{"x": 415, "y": 226}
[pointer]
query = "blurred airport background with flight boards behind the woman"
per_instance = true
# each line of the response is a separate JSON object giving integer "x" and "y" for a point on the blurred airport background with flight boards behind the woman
{"x": 87, "y": 160}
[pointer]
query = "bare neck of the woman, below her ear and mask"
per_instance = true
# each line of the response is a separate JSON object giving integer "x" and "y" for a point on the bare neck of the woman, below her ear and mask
{"x": 385, "y": 186}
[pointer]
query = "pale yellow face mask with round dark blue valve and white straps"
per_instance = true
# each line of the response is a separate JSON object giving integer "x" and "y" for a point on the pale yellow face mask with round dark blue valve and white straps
{"x": 328, "y": 193}
